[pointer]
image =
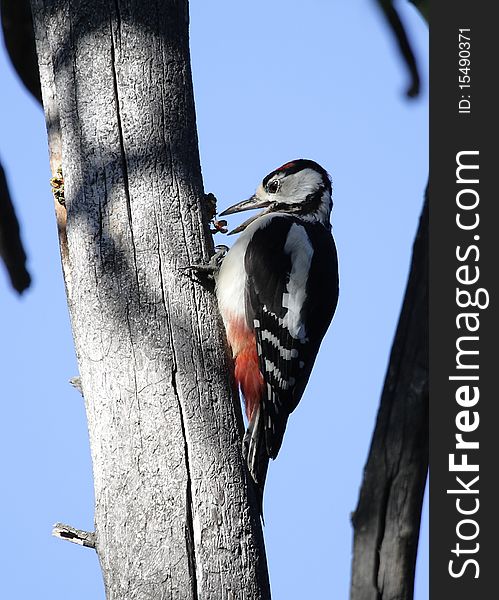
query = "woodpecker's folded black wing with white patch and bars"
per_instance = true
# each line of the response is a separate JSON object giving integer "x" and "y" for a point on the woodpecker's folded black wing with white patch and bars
{"x": 291, "y": 296}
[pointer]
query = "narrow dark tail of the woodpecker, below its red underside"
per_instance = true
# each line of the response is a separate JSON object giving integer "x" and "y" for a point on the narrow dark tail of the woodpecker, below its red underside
{"x": 255, "y": 454}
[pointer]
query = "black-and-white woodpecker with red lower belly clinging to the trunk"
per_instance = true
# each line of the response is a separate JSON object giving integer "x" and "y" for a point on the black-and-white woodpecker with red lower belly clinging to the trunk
{"x": 277, "y": 290}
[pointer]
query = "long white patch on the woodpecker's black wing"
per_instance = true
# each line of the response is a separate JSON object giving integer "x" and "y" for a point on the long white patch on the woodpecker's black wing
{"x": 300, "y": 249}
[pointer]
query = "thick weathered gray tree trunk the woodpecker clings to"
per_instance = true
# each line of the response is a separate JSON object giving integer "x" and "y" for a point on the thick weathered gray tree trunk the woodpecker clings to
{"x": 172, "y": 514}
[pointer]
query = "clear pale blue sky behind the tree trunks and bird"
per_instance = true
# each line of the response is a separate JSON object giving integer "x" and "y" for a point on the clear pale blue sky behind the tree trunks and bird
{"x": 273, "y": 82}
